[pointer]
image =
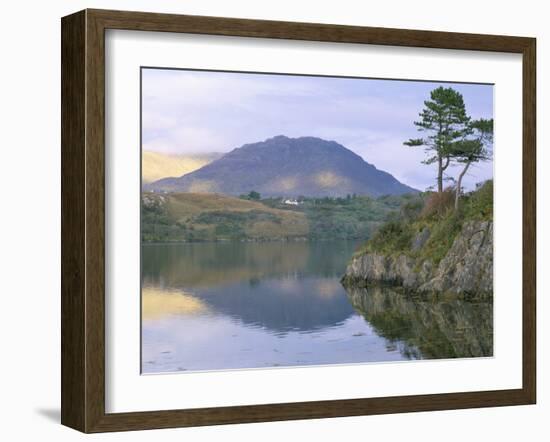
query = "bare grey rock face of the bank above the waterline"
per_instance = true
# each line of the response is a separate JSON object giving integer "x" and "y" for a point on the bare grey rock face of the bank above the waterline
{"x": 466, "y": 269}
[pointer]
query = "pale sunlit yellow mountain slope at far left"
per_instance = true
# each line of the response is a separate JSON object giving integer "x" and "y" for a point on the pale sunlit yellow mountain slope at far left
{"x": 155, "y": 165}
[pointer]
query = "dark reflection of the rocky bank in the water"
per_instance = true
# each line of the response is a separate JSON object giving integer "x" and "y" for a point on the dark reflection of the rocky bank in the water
{"x": 430, "y": 327}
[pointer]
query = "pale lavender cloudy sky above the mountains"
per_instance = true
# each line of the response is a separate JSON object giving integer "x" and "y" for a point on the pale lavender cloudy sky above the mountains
{"x": 188, "y": 112}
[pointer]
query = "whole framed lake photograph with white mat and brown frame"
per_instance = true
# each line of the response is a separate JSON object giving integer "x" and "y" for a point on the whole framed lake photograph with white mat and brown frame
{"x": 270, "y": 220}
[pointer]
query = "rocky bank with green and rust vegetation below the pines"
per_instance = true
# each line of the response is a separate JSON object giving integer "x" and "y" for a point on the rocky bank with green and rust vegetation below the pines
{"x": 431, "y": 247}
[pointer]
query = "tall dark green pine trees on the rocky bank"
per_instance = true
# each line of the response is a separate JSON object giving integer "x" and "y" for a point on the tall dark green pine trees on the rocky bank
{"x": 452, "y": 136}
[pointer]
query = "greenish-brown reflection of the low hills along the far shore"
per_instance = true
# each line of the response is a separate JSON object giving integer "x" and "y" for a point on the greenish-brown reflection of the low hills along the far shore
{"x": 207, "y": 265}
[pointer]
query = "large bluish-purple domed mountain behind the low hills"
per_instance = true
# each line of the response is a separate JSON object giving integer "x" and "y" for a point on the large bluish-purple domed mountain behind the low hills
{"x": 289, "y": 167}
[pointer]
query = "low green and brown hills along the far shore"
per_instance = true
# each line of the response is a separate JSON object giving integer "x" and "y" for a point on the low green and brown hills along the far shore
{"x": 194, "y": 217}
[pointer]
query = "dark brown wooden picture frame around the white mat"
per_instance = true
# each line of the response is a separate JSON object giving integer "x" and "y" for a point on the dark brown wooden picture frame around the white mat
{"x": 83, "y": 217}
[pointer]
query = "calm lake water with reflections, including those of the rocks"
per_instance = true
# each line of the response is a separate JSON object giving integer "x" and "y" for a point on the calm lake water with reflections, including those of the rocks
{"x": 219, "y": 306}
